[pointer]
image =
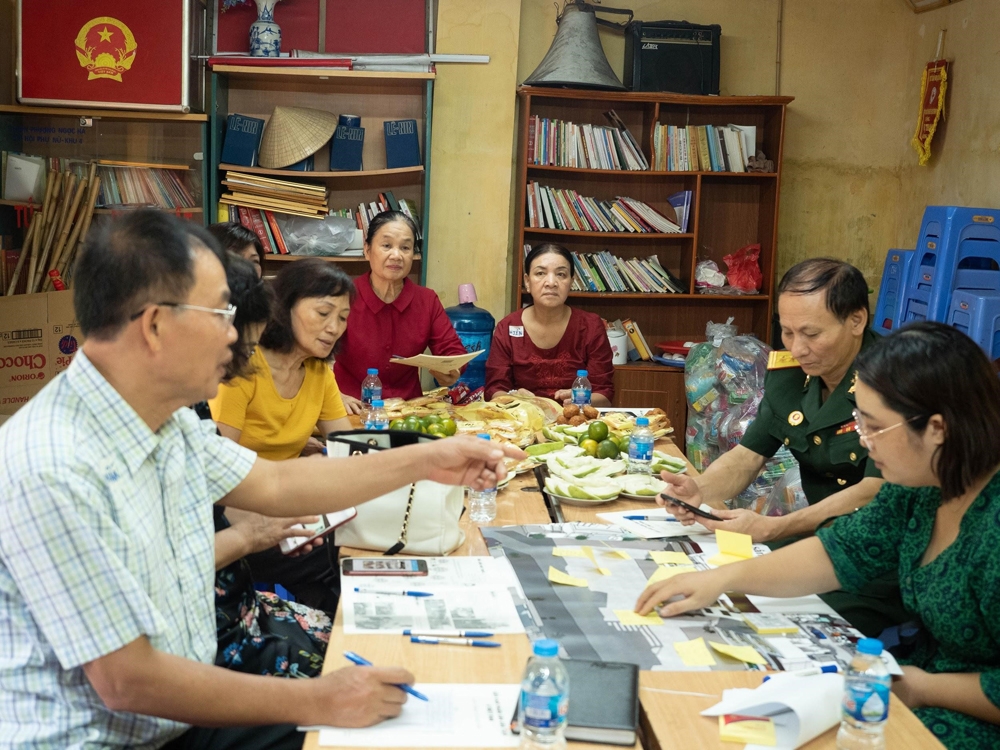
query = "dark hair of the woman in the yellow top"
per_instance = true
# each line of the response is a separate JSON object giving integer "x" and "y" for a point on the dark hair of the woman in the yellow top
{"x": 309, "y": 277}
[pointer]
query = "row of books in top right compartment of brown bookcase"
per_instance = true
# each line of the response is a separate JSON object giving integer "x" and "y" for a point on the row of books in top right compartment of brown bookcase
{"x": 703, "y": 148}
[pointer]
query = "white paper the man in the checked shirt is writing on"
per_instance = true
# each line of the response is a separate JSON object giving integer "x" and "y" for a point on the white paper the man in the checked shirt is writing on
{"x": 455, "y": 716}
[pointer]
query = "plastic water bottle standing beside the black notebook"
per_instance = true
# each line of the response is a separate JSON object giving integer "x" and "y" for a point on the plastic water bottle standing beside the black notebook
{"x": 544, "y": 698}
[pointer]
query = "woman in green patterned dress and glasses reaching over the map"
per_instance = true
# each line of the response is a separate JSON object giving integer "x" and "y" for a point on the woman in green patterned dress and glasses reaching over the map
{"x": 929, "y": 414}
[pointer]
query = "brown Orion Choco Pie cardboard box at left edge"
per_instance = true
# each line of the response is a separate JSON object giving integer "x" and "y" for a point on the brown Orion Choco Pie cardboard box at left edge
{"x": 38, "y": 337}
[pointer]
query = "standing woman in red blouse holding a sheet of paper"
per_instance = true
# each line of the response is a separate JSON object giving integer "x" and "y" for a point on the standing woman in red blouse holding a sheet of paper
{"x": 391, "y": 316}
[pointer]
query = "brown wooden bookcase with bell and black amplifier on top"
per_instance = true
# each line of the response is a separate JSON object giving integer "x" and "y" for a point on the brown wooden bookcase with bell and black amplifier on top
{"x": 729, "y": 211}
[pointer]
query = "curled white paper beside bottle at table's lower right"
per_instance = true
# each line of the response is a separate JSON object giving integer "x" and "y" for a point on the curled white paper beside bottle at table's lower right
{"x": 802, "y": 707}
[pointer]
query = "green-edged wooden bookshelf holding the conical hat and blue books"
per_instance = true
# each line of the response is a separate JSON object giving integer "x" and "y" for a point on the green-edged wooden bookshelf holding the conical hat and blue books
{"x": 374, "y": 96}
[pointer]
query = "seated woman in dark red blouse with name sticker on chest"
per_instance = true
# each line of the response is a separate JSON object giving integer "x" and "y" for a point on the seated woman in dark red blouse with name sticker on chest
{"x": 538, "y": 349}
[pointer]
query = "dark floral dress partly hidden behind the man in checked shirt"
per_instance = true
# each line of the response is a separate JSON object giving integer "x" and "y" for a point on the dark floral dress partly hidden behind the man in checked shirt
{"x": 260, "y": 633}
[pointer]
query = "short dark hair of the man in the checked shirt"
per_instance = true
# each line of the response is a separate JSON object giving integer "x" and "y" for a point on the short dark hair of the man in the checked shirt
{"x": 142, "y": 257}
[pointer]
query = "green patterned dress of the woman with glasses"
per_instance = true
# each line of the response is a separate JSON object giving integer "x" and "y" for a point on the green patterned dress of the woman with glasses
{"x": 956, "y": 596}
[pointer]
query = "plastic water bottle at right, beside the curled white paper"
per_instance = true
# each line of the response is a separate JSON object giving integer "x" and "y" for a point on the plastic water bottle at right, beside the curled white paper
{"x": 865, "y": 708}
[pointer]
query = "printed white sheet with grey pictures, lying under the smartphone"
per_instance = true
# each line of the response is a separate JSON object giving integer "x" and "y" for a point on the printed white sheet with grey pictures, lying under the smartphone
{"x": 470, "y": 593}
